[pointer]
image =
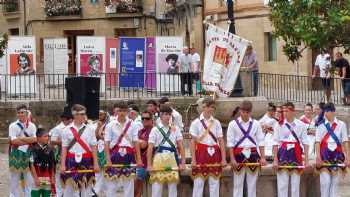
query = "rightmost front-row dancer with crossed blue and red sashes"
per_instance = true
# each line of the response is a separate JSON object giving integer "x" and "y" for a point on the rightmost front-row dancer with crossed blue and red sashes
{"x": 332, "y": 151}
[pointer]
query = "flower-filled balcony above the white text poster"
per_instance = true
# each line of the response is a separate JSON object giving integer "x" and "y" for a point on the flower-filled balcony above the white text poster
{"x": 62, "y": 8}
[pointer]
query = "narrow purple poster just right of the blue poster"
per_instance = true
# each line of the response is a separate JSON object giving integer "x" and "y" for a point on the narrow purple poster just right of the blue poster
{"x": 150, "y": 63}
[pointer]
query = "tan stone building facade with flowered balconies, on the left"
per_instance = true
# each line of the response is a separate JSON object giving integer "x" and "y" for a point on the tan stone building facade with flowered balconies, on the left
{"x": 72, "y": 18}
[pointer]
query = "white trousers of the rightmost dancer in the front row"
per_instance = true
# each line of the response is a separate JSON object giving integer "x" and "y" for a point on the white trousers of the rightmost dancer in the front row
{"x": 329, "y": 184}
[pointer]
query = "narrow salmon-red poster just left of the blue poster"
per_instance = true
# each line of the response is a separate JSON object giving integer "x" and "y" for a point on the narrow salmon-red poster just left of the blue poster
{"x": 111, "y": 62}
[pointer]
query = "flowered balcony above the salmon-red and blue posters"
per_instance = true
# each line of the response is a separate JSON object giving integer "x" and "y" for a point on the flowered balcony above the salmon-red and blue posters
{"x": 123, "y": 6}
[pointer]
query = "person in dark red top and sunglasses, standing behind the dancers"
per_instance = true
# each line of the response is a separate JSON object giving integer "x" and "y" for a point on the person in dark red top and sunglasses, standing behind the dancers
{"x": 147, "y": 121}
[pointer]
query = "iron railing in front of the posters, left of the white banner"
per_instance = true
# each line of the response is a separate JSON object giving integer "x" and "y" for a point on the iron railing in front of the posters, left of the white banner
{"x": 112, "y": 86}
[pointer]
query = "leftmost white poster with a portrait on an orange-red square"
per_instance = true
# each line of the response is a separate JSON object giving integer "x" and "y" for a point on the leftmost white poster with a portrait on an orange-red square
{"x": 21, "y": 66}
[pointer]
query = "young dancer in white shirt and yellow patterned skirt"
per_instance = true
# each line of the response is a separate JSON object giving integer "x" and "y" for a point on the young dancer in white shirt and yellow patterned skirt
{"x": 165, "y": 150}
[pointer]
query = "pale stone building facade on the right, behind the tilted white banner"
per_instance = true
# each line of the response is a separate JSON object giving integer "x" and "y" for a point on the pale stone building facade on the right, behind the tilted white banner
{"x": 252, "y": 23}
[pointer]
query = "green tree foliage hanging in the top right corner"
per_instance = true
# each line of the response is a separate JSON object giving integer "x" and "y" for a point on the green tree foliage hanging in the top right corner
{"x": 314, "y": 24}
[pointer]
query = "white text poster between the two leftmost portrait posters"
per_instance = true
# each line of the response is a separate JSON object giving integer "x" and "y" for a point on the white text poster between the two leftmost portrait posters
{"x": 55, "y": 61}
